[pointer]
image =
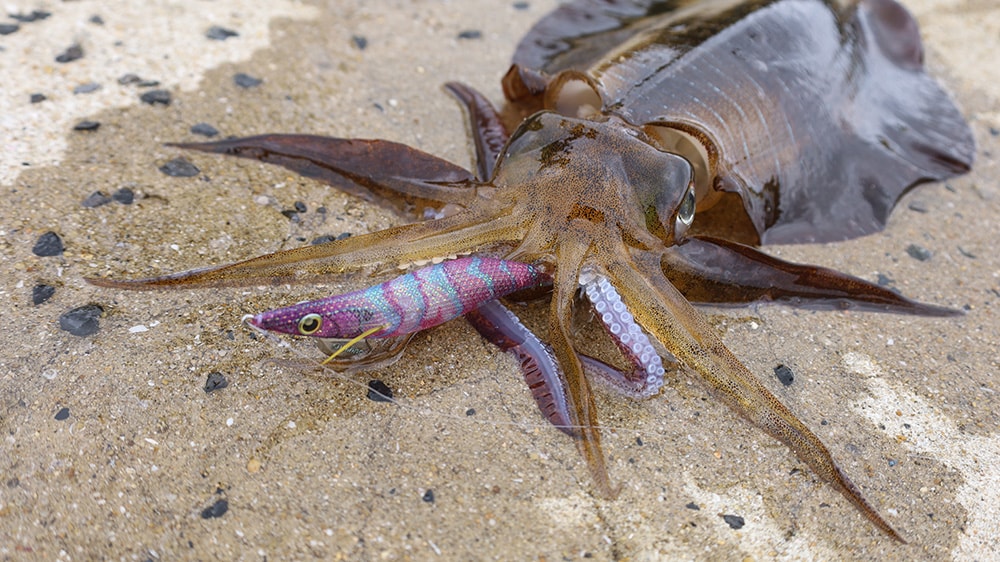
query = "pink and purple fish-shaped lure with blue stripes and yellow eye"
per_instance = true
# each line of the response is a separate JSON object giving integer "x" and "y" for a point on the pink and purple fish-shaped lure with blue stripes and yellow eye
{"x": 410, "y": 303}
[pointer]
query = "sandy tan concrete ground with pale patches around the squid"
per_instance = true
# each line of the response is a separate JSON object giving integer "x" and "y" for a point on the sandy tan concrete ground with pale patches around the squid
{"x": 310, "y": 468}
